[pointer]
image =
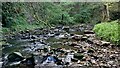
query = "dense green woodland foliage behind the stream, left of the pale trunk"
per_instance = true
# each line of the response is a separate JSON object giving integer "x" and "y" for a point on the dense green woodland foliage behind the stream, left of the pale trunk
{"x": 21, "y": 16}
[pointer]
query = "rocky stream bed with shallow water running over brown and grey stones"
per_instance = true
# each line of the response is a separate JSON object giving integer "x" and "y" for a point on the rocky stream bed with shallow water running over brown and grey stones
{"x": 78, "y": 40}
